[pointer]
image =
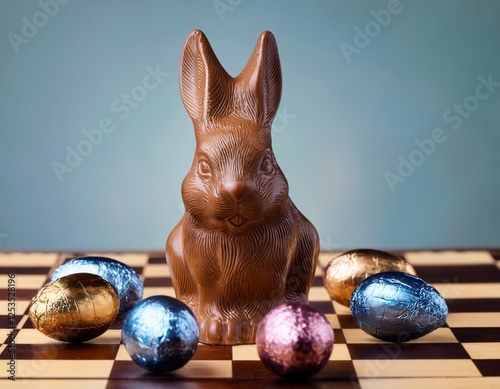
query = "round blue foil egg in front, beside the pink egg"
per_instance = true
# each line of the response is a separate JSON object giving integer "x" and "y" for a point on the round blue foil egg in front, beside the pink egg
{"x": 160, "y": 334}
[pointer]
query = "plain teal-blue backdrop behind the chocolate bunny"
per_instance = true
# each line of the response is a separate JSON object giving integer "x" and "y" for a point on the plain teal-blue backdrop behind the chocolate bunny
{"x": 343, "y": 124}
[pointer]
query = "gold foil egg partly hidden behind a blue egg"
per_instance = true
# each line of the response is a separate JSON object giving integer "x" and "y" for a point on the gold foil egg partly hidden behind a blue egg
{"x": 345, "y": 272}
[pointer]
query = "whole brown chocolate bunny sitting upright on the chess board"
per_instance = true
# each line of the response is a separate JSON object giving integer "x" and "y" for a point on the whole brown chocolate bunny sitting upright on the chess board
{"x": 242, "y": 247}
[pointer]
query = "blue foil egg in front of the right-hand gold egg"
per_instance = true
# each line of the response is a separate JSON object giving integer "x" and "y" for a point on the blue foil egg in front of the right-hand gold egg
{"x": 397, "y": 307}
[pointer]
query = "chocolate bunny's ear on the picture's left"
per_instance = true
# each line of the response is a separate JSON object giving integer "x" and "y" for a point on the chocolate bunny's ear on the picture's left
{"x": 204, "y": 83}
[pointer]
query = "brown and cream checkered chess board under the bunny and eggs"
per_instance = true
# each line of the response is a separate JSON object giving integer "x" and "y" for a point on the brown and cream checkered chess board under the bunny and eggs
{"x": 465, "y": 353}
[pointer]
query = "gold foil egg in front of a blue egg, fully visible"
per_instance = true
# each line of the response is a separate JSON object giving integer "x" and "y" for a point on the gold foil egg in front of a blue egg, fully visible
{"x": 75, "y": 308}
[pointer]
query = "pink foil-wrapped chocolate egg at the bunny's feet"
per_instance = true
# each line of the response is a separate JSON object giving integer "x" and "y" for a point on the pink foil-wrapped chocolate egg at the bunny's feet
{"x": 294, "y": 340}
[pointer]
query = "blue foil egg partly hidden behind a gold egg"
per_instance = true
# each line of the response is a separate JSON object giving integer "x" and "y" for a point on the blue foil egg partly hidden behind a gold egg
{"x": 125, "y": 280}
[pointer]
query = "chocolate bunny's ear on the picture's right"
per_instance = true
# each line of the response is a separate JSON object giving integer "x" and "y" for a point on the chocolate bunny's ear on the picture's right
{"x": 260, "y": 80}
